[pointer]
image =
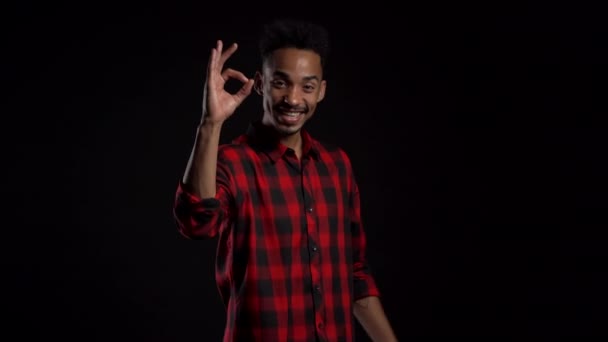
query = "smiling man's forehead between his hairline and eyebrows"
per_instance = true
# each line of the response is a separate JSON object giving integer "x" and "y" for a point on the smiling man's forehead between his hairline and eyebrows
{"x": 294, "y": 62}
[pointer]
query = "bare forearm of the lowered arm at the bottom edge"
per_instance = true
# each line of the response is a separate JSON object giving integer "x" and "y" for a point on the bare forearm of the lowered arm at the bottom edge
{"x": 370, "y": 313}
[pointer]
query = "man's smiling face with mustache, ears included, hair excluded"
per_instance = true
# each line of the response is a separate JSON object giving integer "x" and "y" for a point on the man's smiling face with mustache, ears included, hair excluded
{"x": 291, "y": 83}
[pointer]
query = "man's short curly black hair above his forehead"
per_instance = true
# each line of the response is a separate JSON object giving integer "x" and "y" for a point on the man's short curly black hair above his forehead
{"x": 296, "y": 33}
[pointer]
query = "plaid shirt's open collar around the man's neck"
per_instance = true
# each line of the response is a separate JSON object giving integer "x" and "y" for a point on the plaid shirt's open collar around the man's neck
{"x": 265, "y": 139}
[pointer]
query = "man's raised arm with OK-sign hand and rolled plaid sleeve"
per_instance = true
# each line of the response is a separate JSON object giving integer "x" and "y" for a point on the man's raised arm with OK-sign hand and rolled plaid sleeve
{"x": 199, "y": 211}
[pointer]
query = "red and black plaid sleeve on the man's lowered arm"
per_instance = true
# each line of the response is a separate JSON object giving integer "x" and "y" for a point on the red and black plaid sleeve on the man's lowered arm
{"x": 364, "y": 282}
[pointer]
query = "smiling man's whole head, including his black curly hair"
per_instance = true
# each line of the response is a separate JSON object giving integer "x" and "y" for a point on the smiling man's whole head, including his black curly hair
{"x": 291, "y": 80}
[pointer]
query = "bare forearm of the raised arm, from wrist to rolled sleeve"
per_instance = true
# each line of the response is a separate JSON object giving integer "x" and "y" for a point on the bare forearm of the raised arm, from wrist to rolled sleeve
{"x": 200, "y": 174}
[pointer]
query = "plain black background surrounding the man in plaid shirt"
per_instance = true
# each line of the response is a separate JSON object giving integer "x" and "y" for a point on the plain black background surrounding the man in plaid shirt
{"x": 477, "y": 134}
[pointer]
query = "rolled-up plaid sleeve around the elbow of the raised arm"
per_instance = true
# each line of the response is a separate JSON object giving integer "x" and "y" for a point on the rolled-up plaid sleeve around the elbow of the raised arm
{"x": 203, "y": 218}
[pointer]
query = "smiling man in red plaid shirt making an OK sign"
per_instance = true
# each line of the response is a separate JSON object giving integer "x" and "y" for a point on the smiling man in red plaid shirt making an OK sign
{"x": 291, "y": 260}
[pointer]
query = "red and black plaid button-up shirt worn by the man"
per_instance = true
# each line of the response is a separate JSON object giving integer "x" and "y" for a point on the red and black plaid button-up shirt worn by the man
{"x": 291, "y": 254}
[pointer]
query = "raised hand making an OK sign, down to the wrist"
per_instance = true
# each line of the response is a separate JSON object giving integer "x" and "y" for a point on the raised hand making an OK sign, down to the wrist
{"x": 219, "y": 104}
